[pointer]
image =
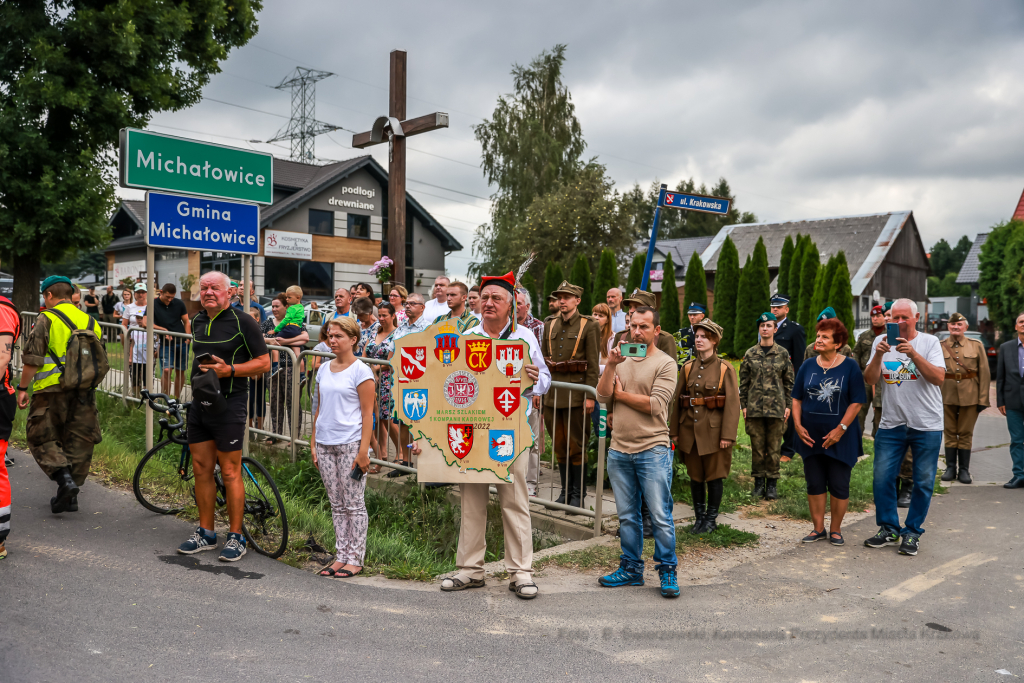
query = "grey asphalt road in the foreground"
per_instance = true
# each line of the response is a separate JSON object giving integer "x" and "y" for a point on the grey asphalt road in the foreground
{"x": 100, "y": 595}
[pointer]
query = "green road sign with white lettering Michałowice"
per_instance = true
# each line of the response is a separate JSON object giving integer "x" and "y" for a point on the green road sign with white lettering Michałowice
{"x": 155, "y": 161}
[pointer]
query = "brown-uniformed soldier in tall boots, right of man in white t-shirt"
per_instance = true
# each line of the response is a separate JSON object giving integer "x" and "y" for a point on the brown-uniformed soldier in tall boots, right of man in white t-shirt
{"x": 965, "y": 394}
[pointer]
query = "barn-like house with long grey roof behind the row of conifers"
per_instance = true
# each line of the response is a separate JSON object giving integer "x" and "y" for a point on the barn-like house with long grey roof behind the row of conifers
{"x": 884, "y": 252}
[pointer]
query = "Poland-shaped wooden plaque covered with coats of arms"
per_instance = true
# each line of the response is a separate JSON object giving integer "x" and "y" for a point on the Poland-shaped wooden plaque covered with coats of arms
{"x": 462, "y": 396}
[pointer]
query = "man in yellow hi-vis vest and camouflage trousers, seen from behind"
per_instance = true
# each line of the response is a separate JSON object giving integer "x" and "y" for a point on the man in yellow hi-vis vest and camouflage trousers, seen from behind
{"x": 63, "y": 428}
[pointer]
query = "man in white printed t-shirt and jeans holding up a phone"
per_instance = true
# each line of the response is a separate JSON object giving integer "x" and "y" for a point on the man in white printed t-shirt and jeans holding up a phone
{"x": 912, "y": 417}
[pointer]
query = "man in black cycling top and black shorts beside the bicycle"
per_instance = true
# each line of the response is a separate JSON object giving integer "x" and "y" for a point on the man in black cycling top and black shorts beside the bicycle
{"x": 218, "y": 423}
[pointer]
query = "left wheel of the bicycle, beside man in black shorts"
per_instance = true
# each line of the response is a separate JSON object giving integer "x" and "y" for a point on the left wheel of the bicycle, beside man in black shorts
{"x": 163, "y": 481}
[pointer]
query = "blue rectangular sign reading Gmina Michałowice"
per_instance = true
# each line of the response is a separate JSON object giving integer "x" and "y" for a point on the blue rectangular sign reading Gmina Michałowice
{"x": 178, "y": 222}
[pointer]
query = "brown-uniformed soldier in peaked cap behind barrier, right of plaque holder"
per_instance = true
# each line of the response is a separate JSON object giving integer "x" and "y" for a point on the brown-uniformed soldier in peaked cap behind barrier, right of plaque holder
{"x": 572, "y": 350}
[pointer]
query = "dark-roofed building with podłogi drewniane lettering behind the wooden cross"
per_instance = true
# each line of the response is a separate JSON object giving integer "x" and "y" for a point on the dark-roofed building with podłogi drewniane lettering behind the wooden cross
{"x": 333, "y": 221}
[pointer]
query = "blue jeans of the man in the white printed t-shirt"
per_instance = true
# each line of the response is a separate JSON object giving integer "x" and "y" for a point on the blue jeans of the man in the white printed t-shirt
{"x": 890, "y": 447}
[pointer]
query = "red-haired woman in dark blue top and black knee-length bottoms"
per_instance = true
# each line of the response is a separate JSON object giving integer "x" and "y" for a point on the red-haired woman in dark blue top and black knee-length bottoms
{"x": 827, "y": 397}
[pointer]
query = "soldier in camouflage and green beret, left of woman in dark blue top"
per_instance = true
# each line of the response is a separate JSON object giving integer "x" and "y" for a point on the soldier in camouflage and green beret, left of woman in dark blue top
{"x": 766, "y": 378}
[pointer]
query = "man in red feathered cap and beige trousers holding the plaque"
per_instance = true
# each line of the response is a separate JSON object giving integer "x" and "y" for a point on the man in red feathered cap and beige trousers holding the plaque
{"x": 496, "y": 309}
